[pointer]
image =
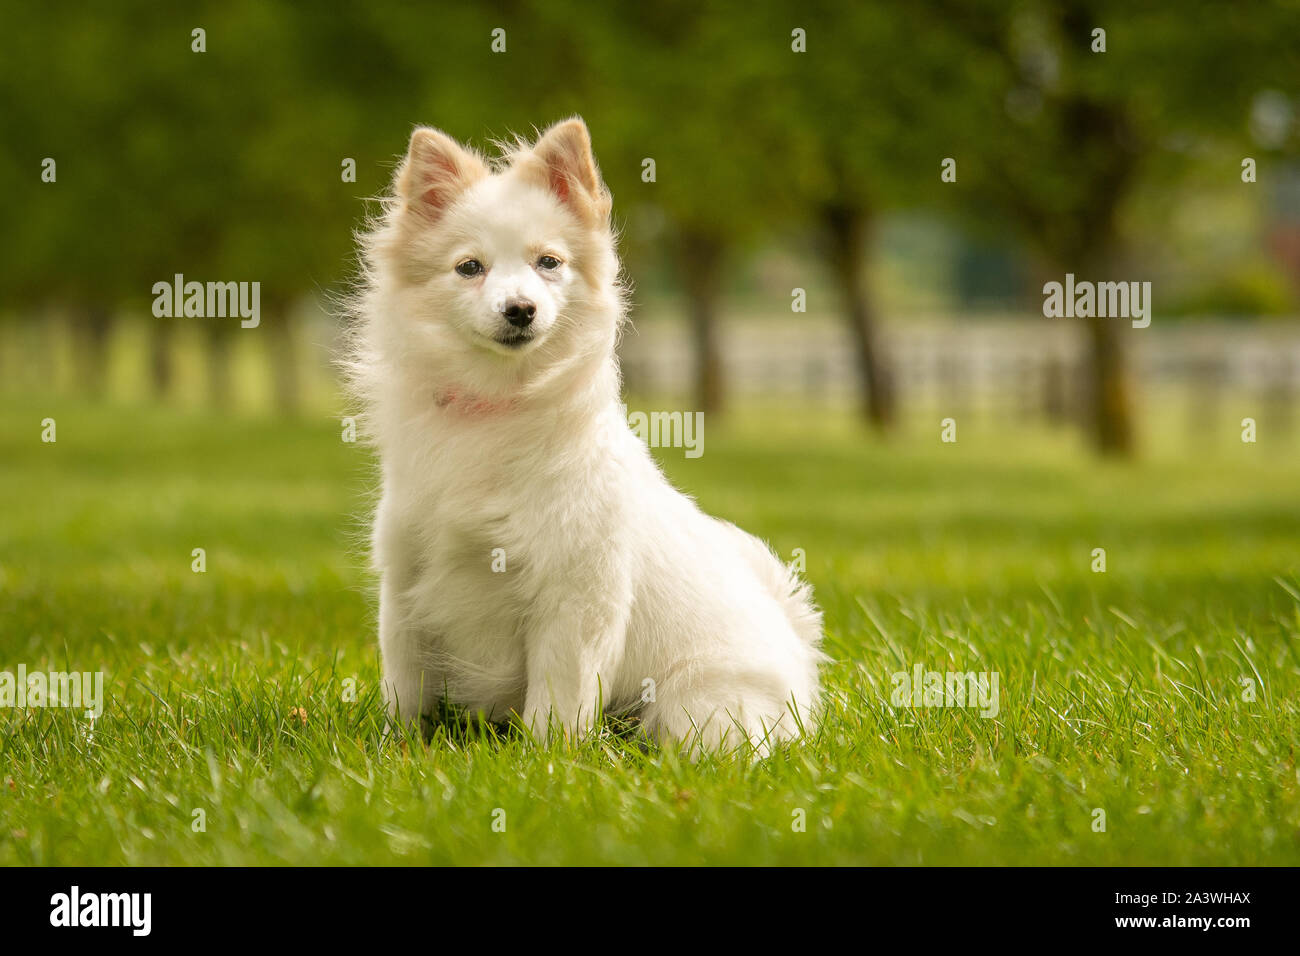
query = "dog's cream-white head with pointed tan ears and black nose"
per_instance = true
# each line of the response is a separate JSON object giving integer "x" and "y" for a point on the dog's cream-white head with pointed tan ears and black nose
{"x": 502, "y": 266}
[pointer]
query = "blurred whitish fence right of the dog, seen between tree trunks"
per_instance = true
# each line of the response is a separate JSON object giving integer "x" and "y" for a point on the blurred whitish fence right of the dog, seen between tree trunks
{"x": 1029, "y": 366}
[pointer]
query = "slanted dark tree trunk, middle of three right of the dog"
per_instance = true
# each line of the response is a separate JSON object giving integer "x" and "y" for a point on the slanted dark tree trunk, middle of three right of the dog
{"x": 848, "y": 232}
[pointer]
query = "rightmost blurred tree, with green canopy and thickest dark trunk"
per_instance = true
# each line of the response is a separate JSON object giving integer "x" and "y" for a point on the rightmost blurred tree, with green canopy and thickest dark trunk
{"x": 1089, "y": 116}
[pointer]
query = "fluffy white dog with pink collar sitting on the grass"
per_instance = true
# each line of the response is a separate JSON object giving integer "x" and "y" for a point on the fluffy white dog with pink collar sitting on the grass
{"x": 535, "y": 563}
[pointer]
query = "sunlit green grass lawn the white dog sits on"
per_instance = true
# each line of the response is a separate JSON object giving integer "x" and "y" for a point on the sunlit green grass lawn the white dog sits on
{"x": 228, "y": 691}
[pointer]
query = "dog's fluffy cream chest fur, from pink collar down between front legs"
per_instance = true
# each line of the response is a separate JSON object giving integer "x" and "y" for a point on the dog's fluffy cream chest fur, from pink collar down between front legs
{"x": 475, "y": 524}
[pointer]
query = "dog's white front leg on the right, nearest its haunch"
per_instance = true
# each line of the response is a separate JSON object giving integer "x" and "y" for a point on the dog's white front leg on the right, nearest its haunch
{"x": 573, "y": 657}
